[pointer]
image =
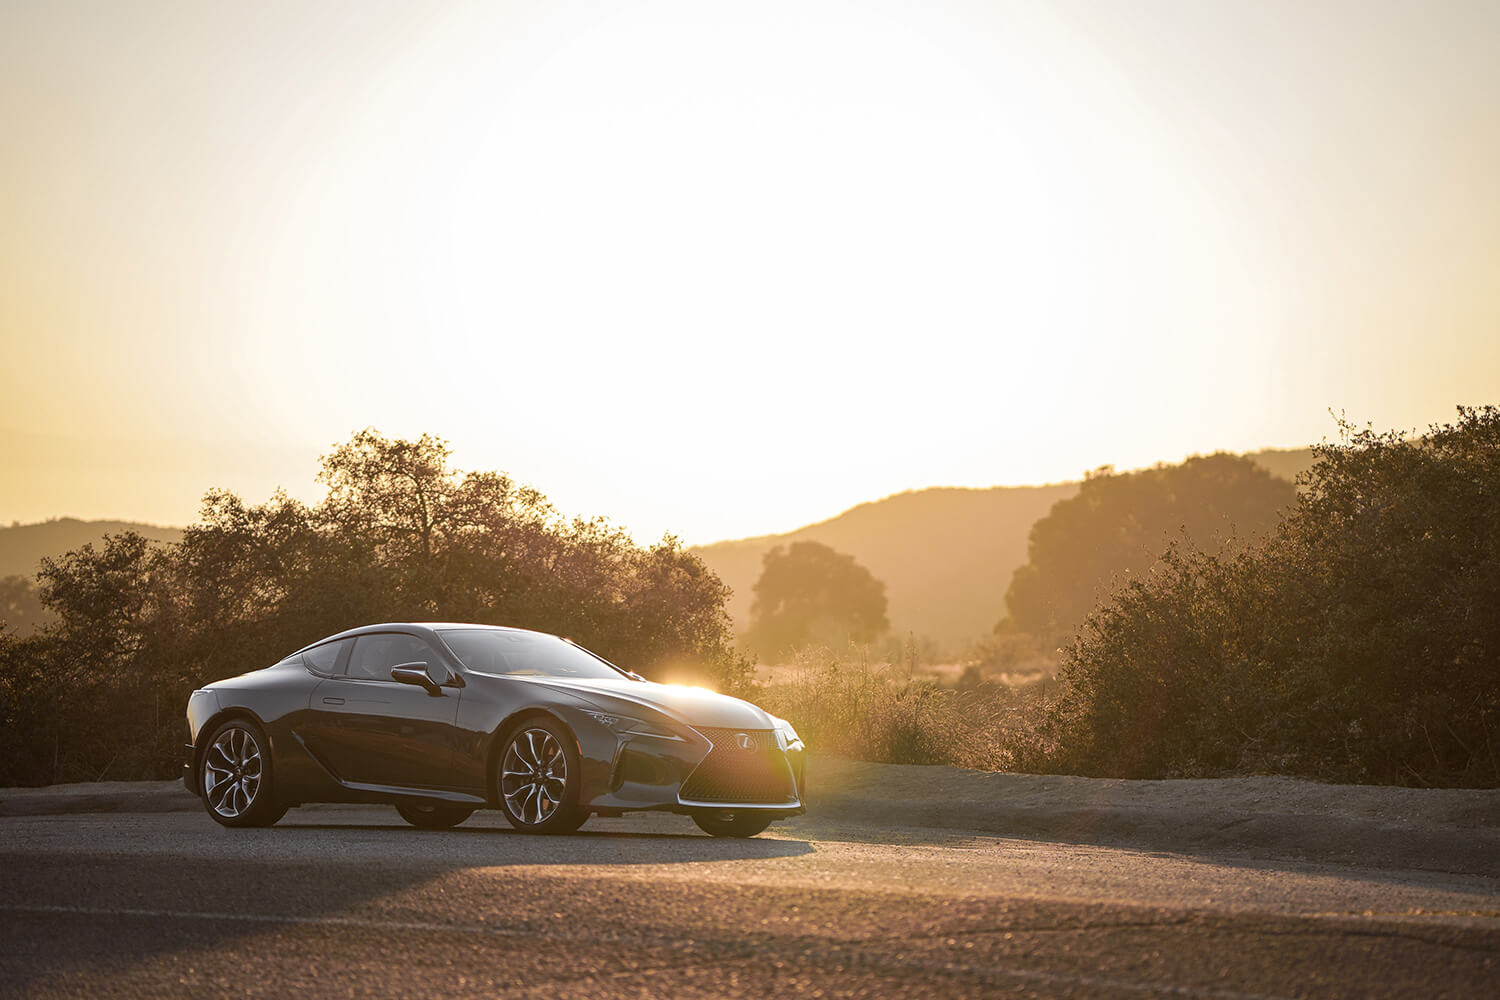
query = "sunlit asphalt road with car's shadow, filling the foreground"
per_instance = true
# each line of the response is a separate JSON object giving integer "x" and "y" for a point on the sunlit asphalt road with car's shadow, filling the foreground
{"x": 340, "y": 902}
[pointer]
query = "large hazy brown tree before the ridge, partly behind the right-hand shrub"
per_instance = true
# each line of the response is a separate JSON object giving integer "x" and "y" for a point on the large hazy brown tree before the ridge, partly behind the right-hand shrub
{"x": 1118, "y": 525}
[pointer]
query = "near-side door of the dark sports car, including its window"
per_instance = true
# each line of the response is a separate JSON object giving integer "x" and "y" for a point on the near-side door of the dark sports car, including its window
{"x": 374, "y": 731}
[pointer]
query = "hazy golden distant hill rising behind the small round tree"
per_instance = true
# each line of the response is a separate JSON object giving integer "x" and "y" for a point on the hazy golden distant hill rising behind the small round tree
{"x": 946, "y": 555}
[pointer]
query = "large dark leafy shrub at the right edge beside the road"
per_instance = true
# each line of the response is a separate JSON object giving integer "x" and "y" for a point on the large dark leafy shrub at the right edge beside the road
{"x": 1361, "y": 642}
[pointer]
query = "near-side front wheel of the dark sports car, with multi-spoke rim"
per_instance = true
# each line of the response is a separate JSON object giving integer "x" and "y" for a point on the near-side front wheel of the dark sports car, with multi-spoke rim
{"x": 533, "y": 795}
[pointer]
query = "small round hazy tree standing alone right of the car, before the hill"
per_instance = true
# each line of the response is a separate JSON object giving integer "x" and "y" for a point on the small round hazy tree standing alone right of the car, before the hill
{"x": 809, "y": 593}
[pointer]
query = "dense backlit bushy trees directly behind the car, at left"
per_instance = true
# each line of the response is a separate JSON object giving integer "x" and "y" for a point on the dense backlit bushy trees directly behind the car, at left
{"x": 401, "y": 536}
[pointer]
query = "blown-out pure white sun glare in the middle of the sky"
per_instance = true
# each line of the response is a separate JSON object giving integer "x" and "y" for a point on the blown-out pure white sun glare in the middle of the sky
{"x": 815, "y": 221}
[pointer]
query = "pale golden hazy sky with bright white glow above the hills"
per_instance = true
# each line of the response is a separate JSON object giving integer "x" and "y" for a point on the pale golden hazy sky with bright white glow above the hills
{"x": 724, "y": 269}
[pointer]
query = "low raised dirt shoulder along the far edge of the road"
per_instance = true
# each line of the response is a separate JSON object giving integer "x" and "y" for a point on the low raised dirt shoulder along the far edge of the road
{"x": 1426, "y": 830}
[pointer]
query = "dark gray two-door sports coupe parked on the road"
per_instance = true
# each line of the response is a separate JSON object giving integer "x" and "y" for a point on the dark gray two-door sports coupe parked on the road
{"x": 440, "y": 720}
